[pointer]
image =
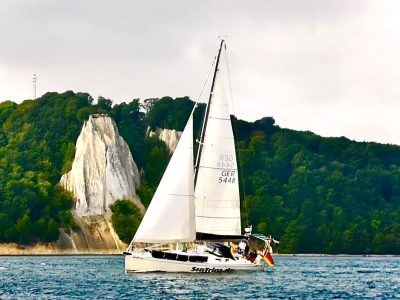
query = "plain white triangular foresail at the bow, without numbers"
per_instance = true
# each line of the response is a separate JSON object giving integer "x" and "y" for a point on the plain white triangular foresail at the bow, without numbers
{"x": 170, "y": 216}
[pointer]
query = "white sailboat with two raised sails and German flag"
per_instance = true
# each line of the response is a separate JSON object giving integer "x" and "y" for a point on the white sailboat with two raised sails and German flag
{"x": 195, "y": 210}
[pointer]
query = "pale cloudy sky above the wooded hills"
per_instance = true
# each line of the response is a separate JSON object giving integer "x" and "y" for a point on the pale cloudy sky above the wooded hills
{"x": 331, "y": 67}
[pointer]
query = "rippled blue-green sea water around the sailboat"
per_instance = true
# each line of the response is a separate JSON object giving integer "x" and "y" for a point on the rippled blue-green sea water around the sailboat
{"x": 294, "y": 277}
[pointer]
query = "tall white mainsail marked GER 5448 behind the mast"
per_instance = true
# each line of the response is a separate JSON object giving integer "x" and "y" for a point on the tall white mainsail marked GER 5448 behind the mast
{"x": 217, "y": 201}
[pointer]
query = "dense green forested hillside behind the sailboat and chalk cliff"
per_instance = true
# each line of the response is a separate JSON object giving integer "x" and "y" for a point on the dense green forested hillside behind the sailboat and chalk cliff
{"x": 314, "y": 194}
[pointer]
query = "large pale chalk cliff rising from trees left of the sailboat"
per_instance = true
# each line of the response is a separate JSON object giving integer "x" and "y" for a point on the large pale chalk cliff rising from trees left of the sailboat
{"x": 103, "y": 170}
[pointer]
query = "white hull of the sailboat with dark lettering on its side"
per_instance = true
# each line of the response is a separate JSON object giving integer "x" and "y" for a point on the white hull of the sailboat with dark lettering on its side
{"x": 144, "y": 262}
